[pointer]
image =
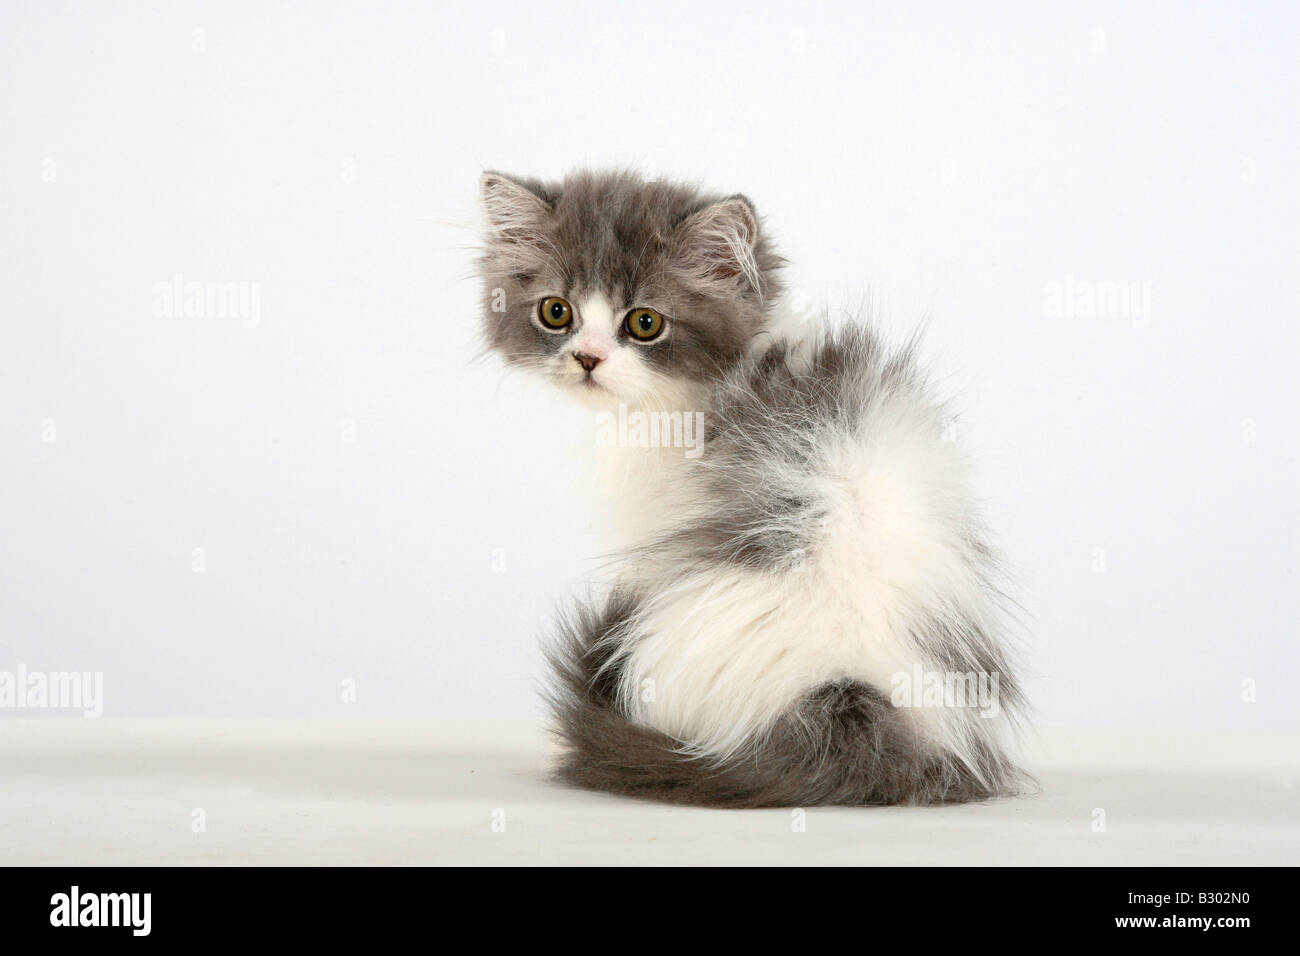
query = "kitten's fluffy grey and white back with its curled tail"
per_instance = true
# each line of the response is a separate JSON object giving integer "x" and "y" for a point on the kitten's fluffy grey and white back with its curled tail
{"x": 825, "y": 546}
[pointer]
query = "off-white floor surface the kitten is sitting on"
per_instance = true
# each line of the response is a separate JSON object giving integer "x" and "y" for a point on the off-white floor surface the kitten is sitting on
{"x": 275, "y": 791}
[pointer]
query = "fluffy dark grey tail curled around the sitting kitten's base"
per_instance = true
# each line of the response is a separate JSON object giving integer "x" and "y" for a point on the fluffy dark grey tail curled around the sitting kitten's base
{"x": 843, "y": 745}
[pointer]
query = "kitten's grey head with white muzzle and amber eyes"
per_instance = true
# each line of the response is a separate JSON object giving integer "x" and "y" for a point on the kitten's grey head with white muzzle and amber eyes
{"x": 622, "y": 289}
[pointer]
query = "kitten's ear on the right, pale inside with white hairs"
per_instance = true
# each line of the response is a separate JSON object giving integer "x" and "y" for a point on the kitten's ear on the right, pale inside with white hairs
{"x": 717, "y": 248}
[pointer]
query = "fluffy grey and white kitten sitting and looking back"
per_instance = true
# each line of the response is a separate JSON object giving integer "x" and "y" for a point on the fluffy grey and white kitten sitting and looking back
{"x": 804, "y": 613}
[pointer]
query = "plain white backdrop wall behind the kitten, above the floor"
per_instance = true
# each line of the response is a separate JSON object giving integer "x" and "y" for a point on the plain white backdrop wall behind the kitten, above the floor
{"x": 964, "y": 165}
